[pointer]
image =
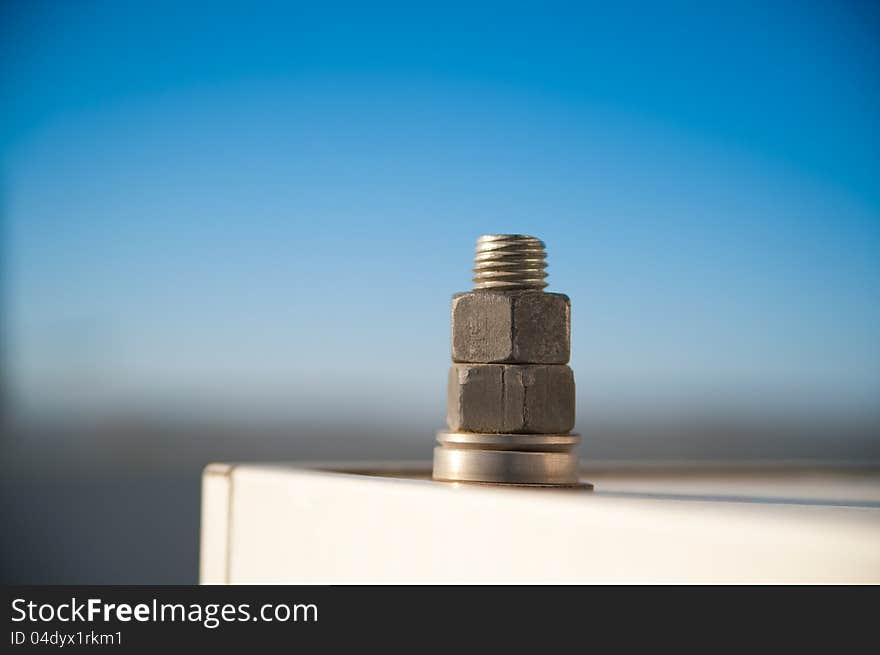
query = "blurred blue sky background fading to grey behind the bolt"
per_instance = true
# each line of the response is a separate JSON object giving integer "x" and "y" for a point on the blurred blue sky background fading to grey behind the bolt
{"x": 231, "y": 231}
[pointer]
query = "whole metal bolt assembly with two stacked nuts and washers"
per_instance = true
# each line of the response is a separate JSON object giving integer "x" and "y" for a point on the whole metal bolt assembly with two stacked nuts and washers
{"x": 509, "y": 378}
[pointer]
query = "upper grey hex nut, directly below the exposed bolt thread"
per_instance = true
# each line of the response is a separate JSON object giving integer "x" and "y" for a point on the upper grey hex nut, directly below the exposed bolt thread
{"x": 526, "y": 327}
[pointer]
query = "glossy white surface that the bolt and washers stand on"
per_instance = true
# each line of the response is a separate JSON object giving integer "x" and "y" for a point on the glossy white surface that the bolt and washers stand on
{"x": 284, "y": 524}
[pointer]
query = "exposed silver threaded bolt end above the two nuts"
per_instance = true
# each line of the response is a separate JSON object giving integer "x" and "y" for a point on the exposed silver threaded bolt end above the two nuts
{"x": 509, "y": 262}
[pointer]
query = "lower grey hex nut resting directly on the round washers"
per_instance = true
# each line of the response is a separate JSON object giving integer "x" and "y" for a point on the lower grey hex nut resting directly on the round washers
{"x": 493, "y": 398}
